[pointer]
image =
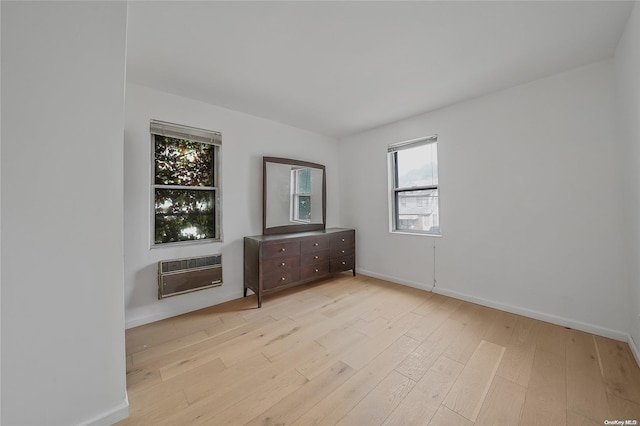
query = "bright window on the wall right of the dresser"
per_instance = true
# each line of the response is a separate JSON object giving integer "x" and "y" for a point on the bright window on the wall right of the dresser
{"x": 413, "y": 179}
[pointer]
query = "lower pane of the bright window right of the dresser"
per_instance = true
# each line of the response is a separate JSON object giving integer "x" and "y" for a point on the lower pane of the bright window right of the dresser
{"x": 417, "y": 211}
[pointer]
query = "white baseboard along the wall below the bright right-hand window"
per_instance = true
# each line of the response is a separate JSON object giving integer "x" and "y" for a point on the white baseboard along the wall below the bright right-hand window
{"x": 530, "y": 313}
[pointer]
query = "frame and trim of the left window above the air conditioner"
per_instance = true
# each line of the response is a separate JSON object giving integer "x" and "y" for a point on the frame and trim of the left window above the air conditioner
{"x": 194, "y": 134}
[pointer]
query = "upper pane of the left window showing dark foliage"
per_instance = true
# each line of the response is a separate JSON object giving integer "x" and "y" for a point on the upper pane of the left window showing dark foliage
{"x": 183, "y": 162}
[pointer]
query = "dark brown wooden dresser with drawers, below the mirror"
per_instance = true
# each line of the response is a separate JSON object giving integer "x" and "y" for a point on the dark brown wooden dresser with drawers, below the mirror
{"x": 275, "y": 262}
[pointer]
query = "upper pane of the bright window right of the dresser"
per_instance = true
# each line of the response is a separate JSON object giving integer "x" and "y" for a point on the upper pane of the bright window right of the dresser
{"x": 418, "y": 166}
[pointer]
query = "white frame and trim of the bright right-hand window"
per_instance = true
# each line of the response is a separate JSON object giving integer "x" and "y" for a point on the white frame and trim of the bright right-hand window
{"x": 394, "y": 190}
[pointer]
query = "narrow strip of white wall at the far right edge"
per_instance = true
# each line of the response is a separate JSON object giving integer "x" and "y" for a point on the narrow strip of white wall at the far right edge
{"x": 627, "y": 66}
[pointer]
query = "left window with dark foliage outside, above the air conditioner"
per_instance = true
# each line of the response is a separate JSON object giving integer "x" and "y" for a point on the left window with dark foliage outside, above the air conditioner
{"x": 185, "y": 184}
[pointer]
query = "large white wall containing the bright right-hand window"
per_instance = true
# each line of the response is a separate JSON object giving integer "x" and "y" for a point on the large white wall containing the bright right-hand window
{"x": 531, "y": 206}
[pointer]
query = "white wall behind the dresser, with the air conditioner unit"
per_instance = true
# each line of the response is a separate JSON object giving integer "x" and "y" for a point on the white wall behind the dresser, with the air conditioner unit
{"x": 245, "y": 140}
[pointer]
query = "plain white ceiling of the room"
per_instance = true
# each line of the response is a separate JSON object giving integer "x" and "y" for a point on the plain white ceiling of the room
{"x": 337, "y": 68}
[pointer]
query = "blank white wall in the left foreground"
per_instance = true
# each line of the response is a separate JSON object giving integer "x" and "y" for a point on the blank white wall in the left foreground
{"x": 63, "y": 357}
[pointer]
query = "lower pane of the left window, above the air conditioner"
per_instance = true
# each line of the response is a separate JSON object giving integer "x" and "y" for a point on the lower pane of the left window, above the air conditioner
{"x": 183, "y": 215}
